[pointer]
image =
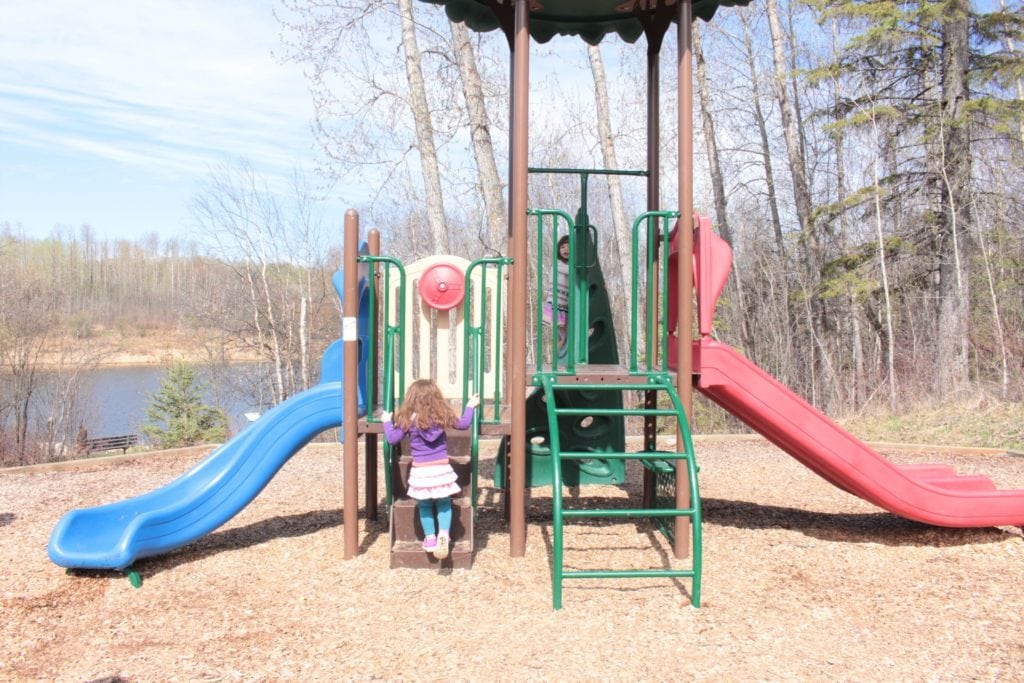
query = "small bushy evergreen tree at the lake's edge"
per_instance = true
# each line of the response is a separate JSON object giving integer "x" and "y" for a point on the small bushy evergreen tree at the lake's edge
{"x": 177, "y": 415}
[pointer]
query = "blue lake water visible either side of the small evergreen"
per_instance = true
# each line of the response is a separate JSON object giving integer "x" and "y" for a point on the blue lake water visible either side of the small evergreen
{"x": 115, "y": 400}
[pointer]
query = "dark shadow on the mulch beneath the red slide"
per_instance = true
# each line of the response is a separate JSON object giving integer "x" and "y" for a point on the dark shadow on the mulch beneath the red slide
{"x": 880, "y": 528}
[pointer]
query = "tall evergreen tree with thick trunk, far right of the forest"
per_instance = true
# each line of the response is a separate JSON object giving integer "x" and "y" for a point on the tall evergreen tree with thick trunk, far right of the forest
{"x": 935, "y": 77}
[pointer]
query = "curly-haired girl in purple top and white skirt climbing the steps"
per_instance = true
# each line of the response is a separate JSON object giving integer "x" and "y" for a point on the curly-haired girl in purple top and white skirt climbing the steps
{"x": 424, "y": 416}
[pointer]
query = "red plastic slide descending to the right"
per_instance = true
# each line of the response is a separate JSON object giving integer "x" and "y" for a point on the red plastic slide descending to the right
{"x": 930, "y": 494}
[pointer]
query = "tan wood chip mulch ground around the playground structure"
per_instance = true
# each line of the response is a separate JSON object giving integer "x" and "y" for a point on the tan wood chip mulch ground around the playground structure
{"x": 802, "y": 582}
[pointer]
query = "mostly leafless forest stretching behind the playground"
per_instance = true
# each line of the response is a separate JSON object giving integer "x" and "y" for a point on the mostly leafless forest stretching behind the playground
{"x": 864, "y": 160}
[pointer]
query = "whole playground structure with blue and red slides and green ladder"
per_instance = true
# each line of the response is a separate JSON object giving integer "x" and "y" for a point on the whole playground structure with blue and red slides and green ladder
{"x": 562, "y": 418}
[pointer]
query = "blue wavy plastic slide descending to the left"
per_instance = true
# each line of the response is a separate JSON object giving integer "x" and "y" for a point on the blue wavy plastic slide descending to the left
{"x": 113, "y": 537}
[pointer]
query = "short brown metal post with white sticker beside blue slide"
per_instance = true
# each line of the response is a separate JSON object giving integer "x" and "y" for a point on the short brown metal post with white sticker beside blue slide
{"x": 351, "y": 418}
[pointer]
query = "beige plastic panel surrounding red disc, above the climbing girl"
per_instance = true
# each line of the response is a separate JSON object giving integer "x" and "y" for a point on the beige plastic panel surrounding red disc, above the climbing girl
{"x": 434, "y": 341}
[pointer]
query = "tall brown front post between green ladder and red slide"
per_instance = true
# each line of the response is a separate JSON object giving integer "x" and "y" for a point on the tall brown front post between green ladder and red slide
{"x": 685, "y": 285}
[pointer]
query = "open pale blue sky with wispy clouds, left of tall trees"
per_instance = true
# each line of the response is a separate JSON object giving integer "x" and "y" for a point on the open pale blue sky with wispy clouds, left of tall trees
{"x": 113, "y": 114}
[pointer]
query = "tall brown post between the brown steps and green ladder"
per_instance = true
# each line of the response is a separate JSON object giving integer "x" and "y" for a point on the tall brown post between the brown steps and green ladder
{"x": 517, "y": 357}
